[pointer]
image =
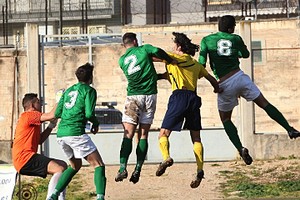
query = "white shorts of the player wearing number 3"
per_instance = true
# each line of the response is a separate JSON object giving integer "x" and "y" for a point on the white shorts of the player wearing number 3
{"x": 77, "y": 146}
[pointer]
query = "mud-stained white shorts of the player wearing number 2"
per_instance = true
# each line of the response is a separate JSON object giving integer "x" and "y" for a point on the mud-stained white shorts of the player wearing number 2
{"x": 139, "y": 109}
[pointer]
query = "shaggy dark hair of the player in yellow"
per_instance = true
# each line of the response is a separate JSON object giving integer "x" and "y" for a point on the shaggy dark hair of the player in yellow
{"x": 186, "y": 45}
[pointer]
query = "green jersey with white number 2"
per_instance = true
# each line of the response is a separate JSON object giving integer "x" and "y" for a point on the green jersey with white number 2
{"x": 139, "y": 70}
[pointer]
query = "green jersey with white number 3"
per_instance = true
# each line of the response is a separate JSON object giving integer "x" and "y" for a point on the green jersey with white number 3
{"x": 75, "y": 108}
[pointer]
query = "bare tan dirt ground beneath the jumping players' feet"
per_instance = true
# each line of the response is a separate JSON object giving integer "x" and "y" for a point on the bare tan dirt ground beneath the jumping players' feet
{"x": 174, "y": 184}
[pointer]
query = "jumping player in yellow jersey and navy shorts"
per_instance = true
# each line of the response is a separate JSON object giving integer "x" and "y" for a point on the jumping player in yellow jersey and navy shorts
{"x": 184, "y": 103}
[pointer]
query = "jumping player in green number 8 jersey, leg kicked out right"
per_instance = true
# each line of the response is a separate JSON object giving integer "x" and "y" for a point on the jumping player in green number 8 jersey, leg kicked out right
{"x": 224, "y": 50}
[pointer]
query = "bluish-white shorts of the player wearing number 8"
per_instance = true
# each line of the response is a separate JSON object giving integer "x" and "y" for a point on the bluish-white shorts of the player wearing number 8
{"x": 238, "y": 85}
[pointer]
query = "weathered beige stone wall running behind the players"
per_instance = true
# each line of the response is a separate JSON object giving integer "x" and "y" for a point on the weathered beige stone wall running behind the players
{"x": 277, "y": 77}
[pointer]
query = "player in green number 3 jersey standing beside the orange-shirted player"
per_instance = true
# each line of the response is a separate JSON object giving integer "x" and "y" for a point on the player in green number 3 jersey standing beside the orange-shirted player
{"x": 75, "y": 108}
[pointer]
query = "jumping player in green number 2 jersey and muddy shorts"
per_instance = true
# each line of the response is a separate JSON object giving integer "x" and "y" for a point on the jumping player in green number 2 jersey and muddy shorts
{"x": 140, "y": 103}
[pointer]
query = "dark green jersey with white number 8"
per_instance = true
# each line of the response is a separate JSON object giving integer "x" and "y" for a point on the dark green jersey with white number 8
{"x": 224, "y": 50}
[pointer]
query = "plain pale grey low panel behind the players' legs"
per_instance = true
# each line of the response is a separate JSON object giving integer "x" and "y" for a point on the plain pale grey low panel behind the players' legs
{"x": 215, "y": 142}
